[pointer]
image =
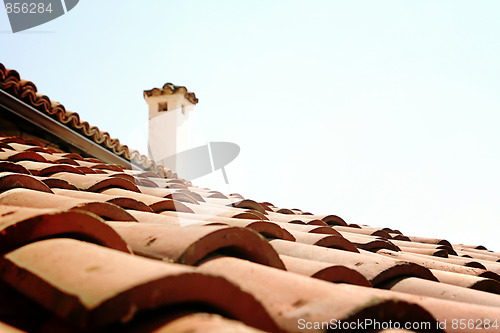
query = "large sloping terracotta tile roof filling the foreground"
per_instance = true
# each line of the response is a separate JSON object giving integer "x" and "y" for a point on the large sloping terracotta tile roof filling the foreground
{"x": 90, "y": 246}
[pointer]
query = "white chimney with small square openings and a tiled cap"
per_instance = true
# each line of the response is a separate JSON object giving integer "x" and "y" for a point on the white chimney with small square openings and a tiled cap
{"x": 169, "y": 109}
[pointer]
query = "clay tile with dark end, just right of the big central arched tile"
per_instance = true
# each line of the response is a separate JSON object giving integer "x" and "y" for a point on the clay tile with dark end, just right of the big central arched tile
{"x": 324, "y": 271}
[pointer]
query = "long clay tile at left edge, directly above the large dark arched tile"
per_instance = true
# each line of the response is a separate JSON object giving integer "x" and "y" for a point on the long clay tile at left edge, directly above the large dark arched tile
{"x": 35, "y": 199}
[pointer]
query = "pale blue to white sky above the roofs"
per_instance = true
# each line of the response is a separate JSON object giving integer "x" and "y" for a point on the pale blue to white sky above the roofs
{"x": 384, "y": 113}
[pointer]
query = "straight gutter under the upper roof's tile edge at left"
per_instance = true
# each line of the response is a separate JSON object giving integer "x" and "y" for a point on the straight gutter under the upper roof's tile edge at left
{"x": 66, "y": 134}
